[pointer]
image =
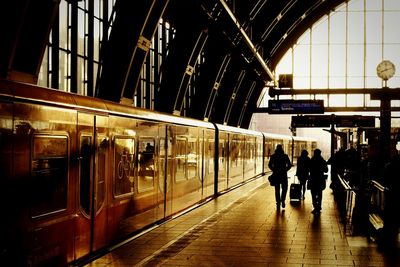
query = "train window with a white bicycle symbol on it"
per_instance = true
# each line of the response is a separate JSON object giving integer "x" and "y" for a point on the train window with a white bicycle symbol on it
{"x": 124, "y": 150}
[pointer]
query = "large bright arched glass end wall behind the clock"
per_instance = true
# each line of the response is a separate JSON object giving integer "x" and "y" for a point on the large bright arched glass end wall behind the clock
{"x": 343, "y": 49}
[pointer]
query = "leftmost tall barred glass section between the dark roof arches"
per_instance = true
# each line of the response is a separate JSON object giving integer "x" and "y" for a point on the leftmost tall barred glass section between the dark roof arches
{"x": 75, "y": 42}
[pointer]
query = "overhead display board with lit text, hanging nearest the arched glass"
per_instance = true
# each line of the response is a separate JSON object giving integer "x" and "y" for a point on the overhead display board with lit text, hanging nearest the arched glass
{"x": 290, "y": 106}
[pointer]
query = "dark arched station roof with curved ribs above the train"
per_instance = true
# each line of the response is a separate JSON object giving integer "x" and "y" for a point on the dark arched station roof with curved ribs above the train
{"x": 240, "y": 42}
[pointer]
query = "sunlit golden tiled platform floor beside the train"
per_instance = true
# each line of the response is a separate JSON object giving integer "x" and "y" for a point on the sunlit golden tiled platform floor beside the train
{"x": 243, "y": 228}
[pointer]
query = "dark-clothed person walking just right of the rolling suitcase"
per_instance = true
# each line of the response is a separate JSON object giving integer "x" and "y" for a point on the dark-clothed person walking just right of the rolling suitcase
{"x": 317, "y": 180}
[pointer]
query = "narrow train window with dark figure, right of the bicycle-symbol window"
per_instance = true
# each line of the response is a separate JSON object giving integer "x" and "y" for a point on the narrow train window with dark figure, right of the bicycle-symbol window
{"x": 146, "y": 164}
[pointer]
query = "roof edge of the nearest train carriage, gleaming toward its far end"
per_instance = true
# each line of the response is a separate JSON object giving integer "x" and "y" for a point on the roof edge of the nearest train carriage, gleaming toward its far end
{"x": 48, "y": 96}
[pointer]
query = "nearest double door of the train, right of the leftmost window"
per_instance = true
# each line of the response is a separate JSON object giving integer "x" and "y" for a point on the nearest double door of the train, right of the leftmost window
{"x": 93, "y": 145}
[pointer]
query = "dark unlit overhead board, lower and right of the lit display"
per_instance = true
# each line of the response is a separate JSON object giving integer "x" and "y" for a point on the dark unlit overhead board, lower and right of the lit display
{"x": 328, "y": 120}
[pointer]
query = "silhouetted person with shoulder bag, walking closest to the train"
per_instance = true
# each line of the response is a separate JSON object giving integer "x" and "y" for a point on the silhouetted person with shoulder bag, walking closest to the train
{"x": 279, "y": 163}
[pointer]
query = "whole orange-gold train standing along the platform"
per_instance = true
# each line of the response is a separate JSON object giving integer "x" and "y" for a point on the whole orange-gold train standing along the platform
{"x": 80, "y": 174}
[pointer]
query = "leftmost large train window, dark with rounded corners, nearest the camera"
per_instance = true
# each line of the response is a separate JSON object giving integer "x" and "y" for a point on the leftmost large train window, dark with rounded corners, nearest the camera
{"x": 49, "y": 174}
